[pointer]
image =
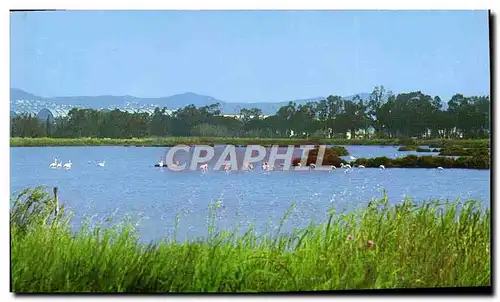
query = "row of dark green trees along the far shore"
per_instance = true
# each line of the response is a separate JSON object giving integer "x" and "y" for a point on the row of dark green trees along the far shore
{"x": 382, "y": 115}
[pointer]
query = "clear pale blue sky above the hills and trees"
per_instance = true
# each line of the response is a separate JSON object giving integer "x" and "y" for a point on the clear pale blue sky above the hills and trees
{"x": 245, "y": 56}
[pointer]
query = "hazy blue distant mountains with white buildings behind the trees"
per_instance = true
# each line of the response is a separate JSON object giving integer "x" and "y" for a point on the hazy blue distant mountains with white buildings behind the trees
{"x": 22, "y": 101}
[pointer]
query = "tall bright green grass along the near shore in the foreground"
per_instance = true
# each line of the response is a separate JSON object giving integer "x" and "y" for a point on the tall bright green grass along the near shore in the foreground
{"x": 381, "y": 246}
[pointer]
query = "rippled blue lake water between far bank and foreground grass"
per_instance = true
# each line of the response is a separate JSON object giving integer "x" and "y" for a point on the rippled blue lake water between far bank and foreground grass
{"x": 129, "y": 184}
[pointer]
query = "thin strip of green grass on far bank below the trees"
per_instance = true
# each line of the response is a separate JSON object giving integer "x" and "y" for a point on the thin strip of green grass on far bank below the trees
{"x": 172, "y": 141}
